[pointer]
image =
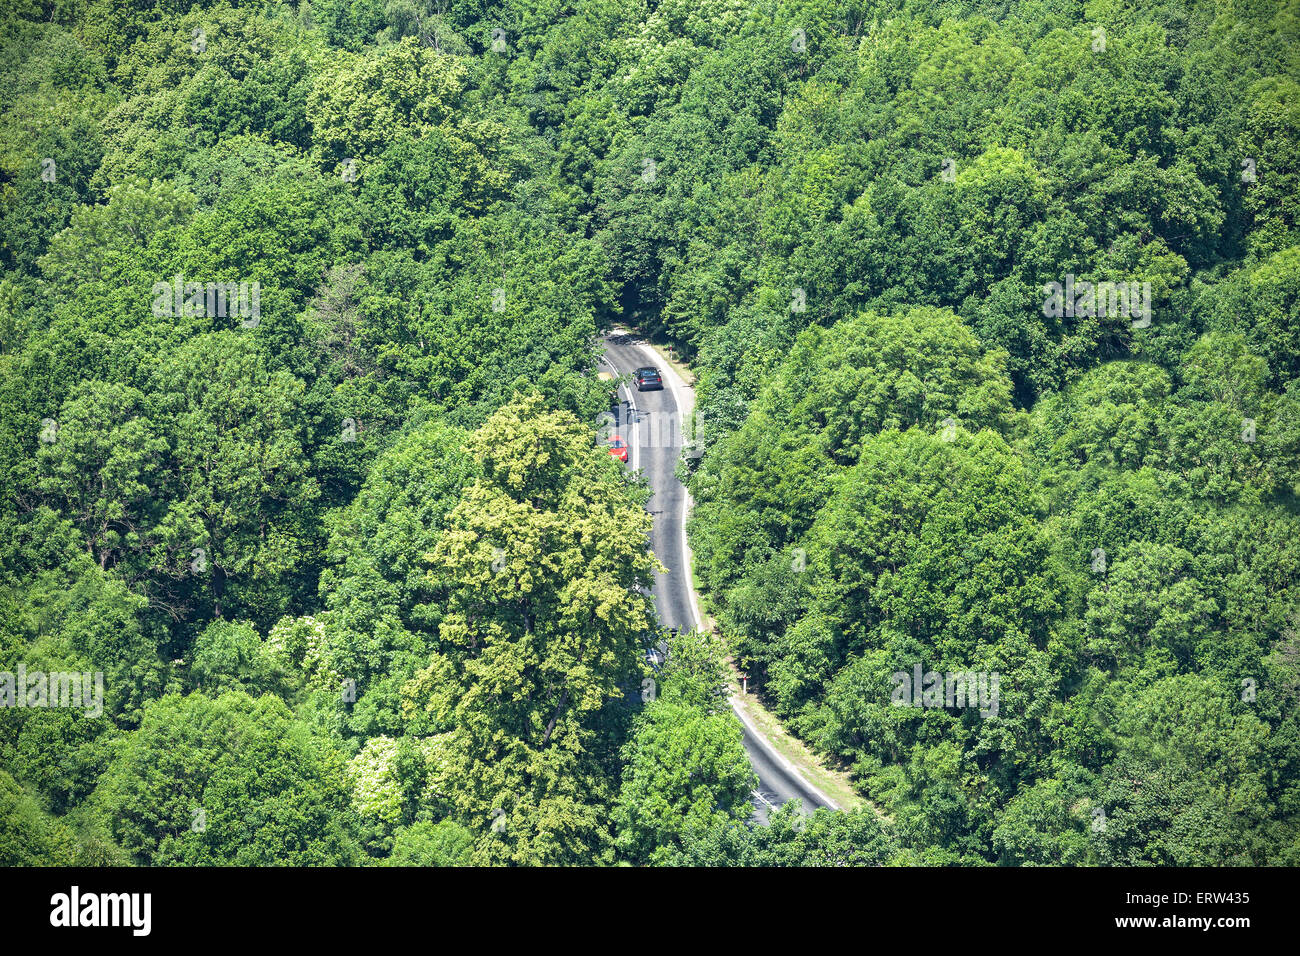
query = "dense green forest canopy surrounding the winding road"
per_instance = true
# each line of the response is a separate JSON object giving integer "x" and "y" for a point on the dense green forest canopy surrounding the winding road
{"x": 995, "y": 317}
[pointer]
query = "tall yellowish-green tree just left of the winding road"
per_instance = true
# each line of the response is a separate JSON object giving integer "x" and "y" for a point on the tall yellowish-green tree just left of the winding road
{"x": 543, "y": 563}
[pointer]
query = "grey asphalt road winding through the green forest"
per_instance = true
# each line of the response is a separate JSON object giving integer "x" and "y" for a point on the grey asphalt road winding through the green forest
{"x": 652, "y": 426}
